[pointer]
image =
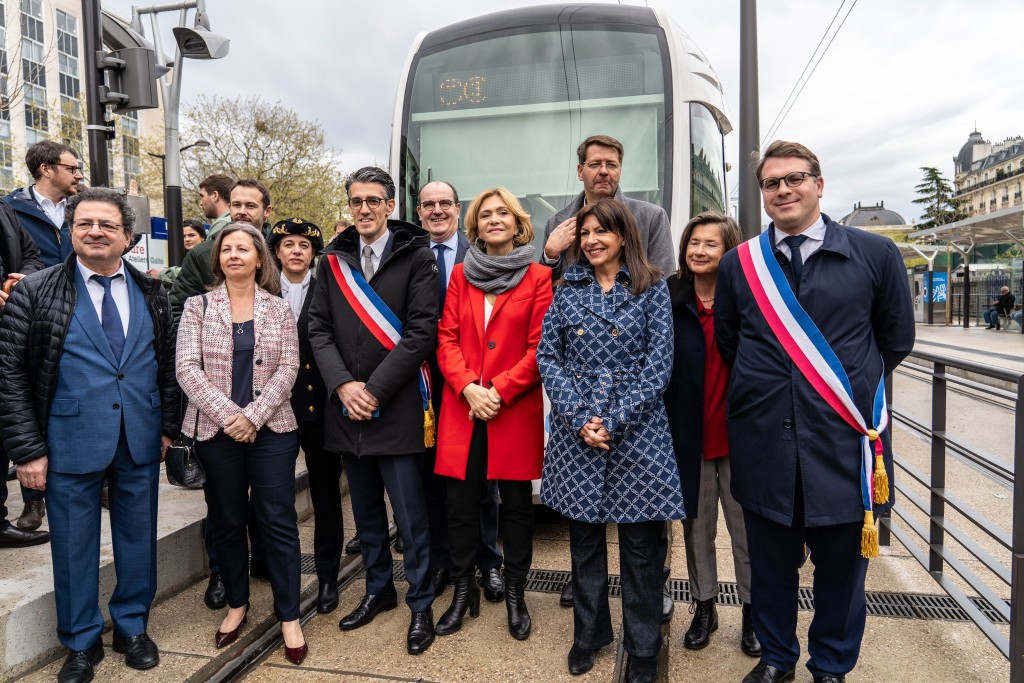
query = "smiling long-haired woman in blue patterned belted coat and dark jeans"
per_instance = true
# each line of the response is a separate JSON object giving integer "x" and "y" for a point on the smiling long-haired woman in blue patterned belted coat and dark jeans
{"x": 606, "y": 358}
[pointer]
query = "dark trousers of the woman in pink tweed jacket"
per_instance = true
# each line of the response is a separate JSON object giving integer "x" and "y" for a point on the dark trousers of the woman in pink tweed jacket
{"x": 268, "y": 467}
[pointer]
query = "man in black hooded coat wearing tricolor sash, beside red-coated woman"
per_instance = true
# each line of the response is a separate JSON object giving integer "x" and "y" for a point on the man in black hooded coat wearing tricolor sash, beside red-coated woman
{"x": 373, "y": 322}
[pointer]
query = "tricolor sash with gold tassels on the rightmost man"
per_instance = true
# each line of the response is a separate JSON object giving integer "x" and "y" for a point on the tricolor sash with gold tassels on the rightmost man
{"x": 820, "y": 365}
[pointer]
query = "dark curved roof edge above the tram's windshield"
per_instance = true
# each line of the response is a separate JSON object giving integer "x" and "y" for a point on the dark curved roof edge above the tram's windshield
{"x": 541, "y": 16}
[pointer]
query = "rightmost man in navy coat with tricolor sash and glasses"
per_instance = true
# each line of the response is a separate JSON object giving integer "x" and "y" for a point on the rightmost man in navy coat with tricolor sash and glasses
{"x": 812, "y": 316}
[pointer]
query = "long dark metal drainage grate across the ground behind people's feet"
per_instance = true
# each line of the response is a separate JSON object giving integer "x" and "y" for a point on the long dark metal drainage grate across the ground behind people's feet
{"x": 894, "y": 606}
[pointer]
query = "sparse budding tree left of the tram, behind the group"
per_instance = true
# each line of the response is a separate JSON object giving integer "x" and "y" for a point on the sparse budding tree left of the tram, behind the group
{"x": 252, "y": 139}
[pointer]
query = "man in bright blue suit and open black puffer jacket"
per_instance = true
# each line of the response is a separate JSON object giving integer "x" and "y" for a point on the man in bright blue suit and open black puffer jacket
{"x": 88, "y": 375}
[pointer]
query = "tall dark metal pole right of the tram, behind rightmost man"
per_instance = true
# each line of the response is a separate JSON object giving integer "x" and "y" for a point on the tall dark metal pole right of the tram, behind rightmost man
{"x": 750, "y": 134}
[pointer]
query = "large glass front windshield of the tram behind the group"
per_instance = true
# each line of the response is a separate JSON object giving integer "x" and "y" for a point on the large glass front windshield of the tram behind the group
{"x": 511, "y": 111}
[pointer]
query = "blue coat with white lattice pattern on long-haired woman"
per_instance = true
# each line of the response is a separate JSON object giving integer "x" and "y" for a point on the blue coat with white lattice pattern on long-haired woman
{"x": 609, "y": 356}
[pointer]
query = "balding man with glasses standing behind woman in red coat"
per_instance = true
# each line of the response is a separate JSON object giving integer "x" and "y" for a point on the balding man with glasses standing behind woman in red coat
{"x": 439, "y": 210}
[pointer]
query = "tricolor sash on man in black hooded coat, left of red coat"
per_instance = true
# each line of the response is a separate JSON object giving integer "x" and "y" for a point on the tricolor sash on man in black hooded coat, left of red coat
{"x": 383, "y": 325}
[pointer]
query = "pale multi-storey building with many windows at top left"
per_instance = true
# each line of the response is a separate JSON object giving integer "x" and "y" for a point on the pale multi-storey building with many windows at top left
{"x": 42, "y": 93}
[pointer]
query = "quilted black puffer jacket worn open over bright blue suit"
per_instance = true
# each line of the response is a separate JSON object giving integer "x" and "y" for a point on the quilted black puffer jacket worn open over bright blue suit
{"x": 32, "y": 334}
